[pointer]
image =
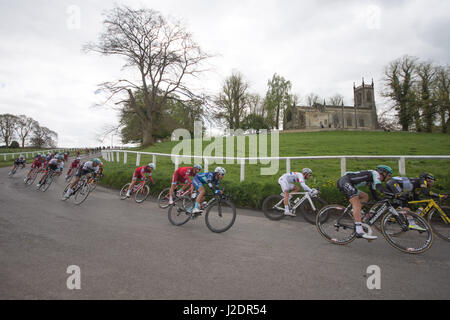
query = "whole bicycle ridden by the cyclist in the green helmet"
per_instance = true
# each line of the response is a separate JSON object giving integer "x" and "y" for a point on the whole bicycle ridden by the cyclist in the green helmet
{"x": 336, "y": 224}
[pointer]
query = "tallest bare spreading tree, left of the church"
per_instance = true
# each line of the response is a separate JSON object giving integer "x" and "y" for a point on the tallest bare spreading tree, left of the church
{"x": 162, "y": 52}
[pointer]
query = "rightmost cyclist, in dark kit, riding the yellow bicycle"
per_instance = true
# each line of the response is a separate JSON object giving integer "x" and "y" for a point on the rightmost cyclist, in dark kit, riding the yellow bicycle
{"x": 409, "y": 189}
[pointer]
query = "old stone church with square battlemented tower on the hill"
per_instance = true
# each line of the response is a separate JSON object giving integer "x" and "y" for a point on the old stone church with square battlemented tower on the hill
{"x": 361, "y": 116}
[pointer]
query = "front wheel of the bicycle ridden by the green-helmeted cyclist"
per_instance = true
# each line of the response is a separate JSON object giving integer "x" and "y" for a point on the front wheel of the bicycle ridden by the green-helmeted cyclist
{"x": 409, "y": 240}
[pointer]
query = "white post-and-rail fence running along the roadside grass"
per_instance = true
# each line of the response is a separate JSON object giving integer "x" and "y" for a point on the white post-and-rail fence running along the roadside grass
{"x": 114, "y": 155}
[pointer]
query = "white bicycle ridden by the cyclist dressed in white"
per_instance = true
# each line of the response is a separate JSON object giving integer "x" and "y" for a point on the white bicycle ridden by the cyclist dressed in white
{"x": 273, "y": 206}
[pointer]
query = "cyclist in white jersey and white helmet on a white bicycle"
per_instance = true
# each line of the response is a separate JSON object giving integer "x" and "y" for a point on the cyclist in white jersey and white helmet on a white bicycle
{"x": 287, "y": 181}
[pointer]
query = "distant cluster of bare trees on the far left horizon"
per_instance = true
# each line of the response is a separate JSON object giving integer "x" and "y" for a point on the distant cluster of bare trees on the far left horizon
{"x": 18, "y": 131}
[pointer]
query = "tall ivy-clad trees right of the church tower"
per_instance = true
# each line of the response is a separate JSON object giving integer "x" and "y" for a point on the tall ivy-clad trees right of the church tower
{"x": 420, "y": 92}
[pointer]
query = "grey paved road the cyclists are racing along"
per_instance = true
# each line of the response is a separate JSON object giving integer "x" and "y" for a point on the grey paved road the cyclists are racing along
{"x": 131, "y": 251}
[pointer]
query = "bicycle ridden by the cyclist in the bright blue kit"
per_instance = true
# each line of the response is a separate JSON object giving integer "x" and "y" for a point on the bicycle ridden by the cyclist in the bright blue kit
{"x": 219, "y": 217}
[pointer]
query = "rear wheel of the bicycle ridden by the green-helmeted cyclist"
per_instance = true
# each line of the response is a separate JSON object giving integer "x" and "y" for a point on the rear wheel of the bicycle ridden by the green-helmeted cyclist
{"x": 336, "y": 225}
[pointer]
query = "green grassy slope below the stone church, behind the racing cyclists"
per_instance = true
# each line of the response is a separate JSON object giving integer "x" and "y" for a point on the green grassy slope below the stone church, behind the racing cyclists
{"x": 256, "y": 187}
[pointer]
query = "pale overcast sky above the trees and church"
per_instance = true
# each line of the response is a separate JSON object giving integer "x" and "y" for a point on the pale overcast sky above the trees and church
{"x": 320, "y": 46}
